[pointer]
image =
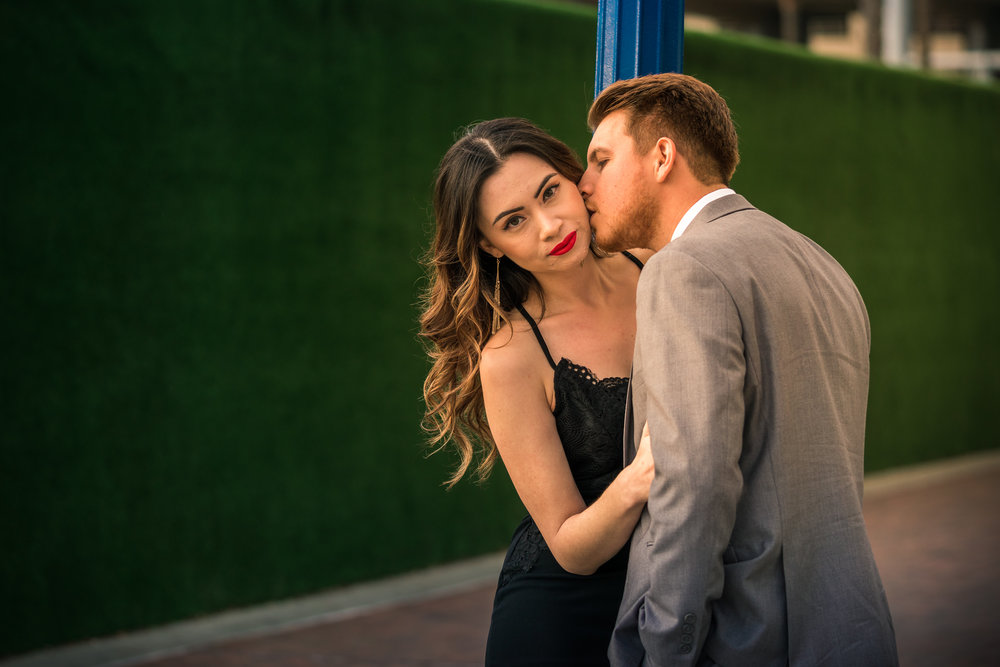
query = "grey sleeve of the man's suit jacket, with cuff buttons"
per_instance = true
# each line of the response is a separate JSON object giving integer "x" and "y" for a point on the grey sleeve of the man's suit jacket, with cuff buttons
{"x": 693, "y": 364}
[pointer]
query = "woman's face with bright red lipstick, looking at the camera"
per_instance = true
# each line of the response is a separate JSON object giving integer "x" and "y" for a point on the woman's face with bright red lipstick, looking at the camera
{"x": 534, "y": 215}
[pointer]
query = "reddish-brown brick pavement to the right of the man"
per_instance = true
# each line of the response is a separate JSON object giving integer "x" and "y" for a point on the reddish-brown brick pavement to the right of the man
{"x": 937, "y": 548}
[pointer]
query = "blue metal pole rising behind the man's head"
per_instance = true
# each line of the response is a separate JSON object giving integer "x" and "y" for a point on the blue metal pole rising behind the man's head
{"x": 636, "y": 37}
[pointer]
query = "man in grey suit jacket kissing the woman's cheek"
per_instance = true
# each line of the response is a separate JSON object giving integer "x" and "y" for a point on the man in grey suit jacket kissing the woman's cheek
{"x": 751, "y": 369}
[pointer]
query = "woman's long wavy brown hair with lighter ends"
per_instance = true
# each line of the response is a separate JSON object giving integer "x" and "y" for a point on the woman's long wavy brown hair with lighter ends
{"x": 458, "y": 304}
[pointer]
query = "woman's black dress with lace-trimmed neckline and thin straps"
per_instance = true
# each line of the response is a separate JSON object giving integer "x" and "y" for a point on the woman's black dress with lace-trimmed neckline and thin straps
{"x": 542, "y": 614}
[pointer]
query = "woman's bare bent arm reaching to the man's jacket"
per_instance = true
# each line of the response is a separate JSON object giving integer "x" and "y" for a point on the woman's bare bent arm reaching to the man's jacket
{"x": 581, "y": 538}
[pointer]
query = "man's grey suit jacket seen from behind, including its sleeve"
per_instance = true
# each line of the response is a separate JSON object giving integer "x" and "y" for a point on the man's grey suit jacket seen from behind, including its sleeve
{"x": 757, "y": 377}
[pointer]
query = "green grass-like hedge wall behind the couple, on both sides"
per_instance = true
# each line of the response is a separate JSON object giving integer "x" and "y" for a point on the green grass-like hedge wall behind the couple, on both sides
{"x": 211, "y": 220}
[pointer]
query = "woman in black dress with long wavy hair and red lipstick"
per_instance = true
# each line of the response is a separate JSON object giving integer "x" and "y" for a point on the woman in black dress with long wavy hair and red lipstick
{"x": 514, "y": 279}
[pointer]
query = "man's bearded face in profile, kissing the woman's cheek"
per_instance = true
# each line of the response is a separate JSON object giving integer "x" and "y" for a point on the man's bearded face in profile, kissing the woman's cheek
{"x": 617, "y": 188}
